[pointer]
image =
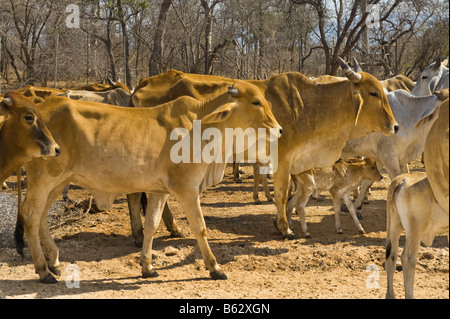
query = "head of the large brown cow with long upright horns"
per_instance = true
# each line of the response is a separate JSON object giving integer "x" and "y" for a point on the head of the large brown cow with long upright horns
{"x": 373, "y": 113}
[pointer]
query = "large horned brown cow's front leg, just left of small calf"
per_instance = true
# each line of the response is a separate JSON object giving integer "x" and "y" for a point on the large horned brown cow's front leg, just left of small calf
{"x": 281, "y": 180}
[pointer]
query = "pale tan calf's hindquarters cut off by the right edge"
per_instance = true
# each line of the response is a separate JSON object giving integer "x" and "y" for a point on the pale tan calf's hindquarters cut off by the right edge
{"x": 411, "y": 206}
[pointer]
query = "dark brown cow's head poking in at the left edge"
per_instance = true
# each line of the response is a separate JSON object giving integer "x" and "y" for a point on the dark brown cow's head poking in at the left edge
{"x": 24, "y": 129}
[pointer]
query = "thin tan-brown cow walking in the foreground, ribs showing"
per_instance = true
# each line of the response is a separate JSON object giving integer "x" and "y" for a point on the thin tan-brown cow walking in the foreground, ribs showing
{"x": 102, "y": 141}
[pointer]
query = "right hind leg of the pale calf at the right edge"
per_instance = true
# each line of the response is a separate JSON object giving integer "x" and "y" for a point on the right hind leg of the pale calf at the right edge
{"x": 409, "y": 259}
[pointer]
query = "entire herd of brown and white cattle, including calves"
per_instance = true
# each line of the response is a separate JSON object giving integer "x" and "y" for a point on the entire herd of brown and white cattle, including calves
{"x": 92, "y": 138}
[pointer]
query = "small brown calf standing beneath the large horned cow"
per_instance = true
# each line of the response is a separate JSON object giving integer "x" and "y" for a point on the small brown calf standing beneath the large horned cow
{"x": 339, "y": 179}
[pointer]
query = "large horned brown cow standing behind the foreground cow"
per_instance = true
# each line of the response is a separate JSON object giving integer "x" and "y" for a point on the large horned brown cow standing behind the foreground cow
{"x": 317, "y": 118}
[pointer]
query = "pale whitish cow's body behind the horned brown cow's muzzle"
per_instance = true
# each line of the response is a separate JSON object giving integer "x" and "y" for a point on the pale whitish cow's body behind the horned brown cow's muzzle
{"x": 395, "y": 152}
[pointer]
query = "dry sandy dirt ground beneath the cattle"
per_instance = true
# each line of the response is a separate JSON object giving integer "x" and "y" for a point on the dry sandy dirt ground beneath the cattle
{"x": 259, "y": 264}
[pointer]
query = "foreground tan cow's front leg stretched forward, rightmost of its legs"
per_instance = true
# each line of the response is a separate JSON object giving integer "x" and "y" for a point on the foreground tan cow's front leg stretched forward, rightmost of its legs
{"x": 191, "y": 205}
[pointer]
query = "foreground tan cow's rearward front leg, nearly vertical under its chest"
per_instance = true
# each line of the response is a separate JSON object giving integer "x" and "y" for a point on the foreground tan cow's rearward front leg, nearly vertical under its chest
{"x": 152, "y": 219}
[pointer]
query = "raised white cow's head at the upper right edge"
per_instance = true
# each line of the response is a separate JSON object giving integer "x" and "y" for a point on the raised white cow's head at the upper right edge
{"x": 428, "y": 81}
